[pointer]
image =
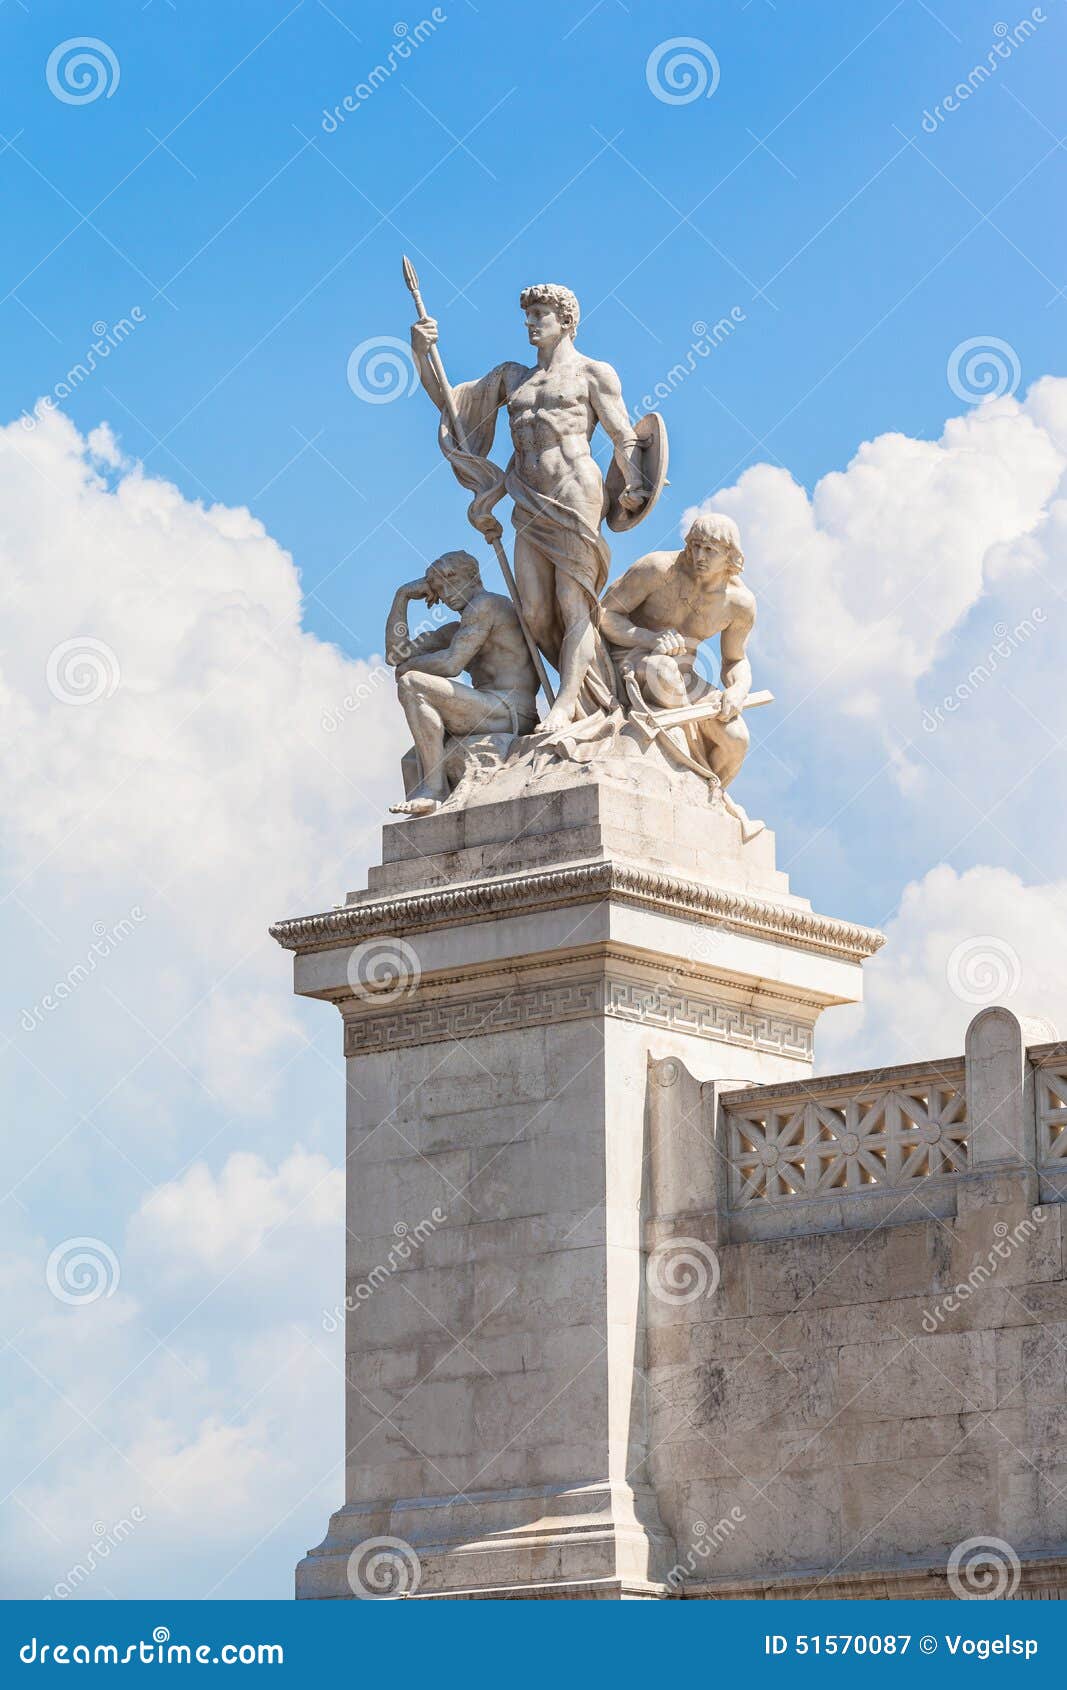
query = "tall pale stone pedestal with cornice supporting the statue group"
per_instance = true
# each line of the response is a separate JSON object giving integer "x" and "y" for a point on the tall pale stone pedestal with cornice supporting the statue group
{"x": 503, "y": 984}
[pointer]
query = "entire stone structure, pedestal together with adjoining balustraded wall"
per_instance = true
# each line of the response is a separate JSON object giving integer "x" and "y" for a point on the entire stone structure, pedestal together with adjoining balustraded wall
{"x": 638, "y": 1309}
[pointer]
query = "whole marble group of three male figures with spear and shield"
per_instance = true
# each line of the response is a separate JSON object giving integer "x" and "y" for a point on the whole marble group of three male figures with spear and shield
{"x": 628, "y": 657}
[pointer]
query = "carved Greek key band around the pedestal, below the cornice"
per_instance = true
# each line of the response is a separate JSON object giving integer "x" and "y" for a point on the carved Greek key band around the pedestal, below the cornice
{"x": 681, "y": 1011}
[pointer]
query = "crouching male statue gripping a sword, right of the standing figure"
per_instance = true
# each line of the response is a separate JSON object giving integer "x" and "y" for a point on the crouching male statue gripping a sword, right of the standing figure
{"x": 655, "y": 619}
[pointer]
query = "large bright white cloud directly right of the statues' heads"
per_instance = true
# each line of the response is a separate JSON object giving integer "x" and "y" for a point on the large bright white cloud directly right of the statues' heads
{"x": 863, "y": 581}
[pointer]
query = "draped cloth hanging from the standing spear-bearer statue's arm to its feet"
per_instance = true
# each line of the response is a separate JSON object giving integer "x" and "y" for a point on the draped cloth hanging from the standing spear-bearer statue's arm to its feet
{"x": 561, "y": 533}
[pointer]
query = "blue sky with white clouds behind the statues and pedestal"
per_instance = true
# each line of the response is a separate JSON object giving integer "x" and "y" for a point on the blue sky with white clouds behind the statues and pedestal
{"x": 254, "y": 248}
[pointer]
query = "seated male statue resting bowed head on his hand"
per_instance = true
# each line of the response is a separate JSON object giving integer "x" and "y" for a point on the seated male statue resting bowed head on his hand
{"x": 488, "y": 643}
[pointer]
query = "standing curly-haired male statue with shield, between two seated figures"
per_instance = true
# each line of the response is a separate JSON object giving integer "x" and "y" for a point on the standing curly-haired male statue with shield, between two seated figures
{"x": 555, "y": 484}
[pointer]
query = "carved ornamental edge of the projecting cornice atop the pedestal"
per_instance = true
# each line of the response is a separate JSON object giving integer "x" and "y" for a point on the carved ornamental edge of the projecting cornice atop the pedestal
{"x": 579, "y": 883}
